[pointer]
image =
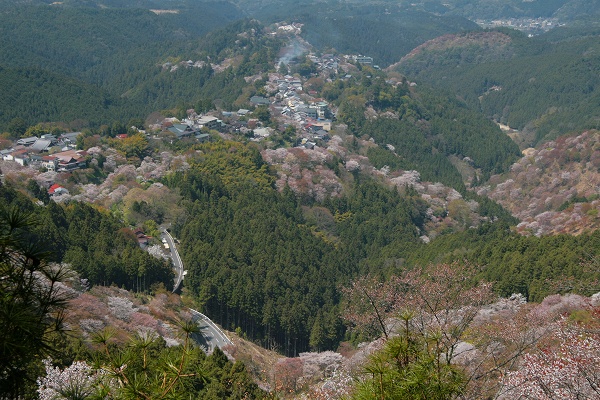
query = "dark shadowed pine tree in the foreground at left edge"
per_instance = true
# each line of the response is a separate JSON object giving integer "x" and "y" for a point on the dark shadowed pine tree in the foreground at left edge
{"x": 31, "y": 301}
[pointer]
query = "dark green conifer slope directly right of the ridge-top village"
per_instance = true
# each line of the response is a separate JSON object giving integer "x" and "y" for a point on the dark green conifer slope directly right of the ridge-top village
{"x": 424, "y": 129}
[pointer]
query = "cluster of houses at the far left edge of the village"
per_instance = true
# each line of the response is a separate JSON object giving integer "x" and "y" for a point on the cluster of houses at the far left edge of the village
{"x": 36, "y": 151}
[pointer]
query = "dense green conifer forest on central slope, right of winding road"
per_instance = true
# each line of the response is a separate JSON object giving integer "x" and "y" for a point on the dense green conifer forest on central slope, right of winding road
{"x": 261, "y": 262}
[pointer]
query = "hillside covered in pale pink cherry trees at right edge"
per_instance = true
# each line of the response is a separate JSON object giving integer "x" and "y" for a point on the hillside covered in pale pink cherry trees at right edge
{"x": 553, "y": 189}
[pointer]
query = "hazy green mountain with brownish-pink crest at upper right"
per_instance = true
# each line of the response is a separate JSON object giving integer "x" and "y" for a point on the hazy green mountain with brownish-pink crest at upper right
{"x": 544, "y": 87}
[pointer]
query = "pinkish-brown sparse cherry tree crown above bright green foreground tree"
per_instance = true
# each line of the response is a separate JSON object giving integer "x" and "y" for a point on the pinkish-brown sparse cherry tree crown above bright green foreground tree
{"x": 440, "y": 297}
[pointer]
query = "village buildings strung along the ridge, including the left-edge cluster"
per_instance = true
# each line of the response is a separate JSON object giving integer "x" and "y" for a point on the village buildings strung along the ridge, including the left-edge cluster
{"x": 287, "y": 103}
